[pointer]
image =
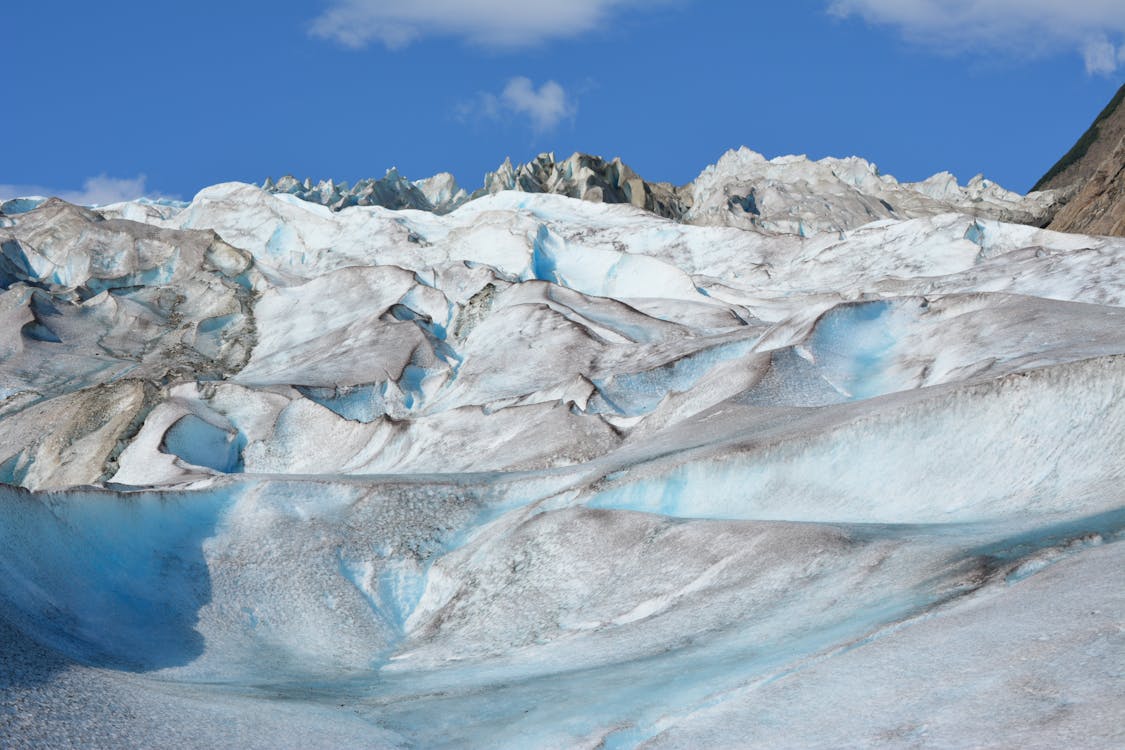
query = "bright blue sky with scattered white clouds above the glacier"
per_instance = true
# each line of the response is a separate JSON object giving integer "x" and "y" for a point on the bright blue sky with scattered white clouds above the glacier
{"x": 112, "y": 100}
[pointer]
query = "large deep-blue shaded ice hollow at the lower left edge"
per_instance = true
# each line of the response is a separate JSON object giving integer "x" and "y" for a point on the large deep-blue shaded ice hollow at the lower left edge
{"x": 127, "y": 577}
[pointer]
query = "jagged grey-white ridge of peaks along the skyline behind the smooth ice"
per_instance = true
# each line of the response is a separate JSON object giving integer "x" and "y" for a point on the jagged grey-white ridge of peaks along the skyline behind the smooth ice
{"x": 789, "y": 195}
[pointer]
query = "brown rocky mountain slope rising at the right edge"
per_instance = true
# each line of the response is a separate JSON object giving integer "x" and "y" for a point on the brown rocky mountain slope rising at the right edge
{"x": 1091, "y": 177}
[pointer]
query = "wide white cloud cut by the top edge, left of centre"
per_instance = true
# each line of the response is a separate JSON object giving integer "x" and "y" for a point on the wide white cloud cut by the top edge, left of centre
{"x": 488, "y": 23}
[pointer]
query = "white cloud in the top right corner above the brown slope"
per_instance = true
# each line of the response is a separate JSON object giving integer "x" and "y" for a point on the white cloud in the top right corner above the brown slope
{"x": 1011, "y": 28}
